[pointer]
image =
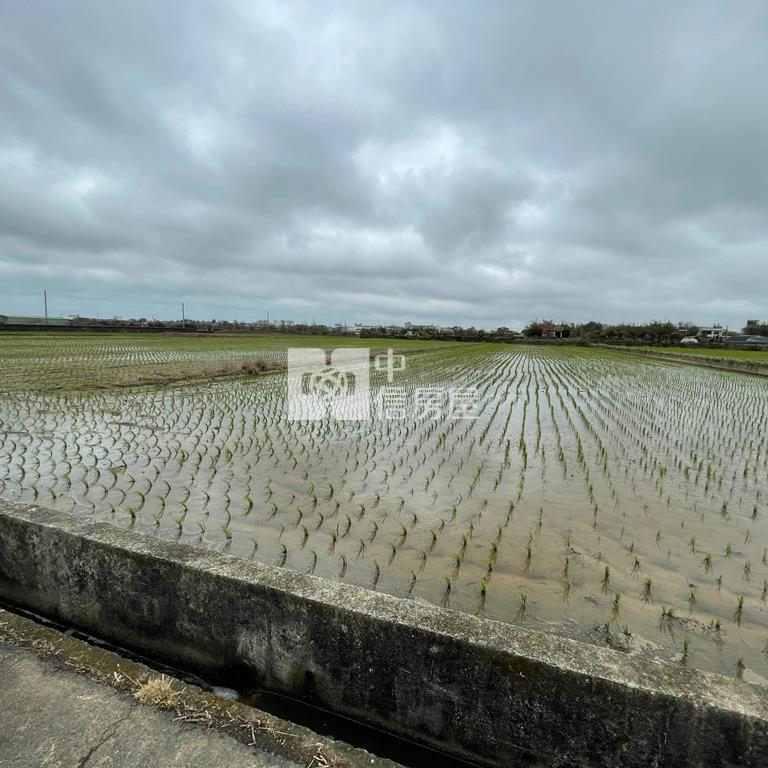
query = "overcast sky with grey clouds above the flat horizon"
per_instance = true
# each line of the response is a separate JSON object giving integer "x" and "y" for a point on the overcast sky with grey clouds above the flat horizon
{"x": 480, "y": 163}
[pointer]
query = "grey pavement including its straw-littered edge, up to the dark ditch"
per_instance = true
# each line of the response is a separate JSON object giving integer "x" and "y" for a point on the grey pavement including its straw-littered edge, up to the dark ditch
{"x": 231, "y": 734}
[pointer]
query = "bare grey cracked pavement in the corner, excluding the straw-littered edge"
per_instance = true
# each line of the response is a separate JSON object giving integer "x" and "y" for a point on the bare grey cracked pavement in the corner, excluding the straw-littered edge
{"x": 52, "y": 718}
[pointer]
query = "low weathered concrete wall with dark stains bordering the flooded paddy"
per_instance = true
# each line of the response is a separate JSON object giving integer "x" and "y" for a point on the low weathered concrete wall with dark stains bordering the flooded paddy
{"x": 498, "y": 693}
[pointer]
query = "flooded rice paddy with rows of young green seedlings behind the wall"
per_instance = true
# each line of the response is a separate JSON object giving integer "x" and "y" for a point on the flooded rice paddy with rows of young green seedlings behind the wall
{"x": 613, "y": 499}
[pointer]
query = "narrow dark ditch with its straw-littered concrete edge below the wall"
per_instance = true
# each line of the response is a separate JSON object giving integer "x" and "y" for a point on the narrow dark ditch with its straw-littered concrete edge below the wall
{"x": 344, "y": 742}
